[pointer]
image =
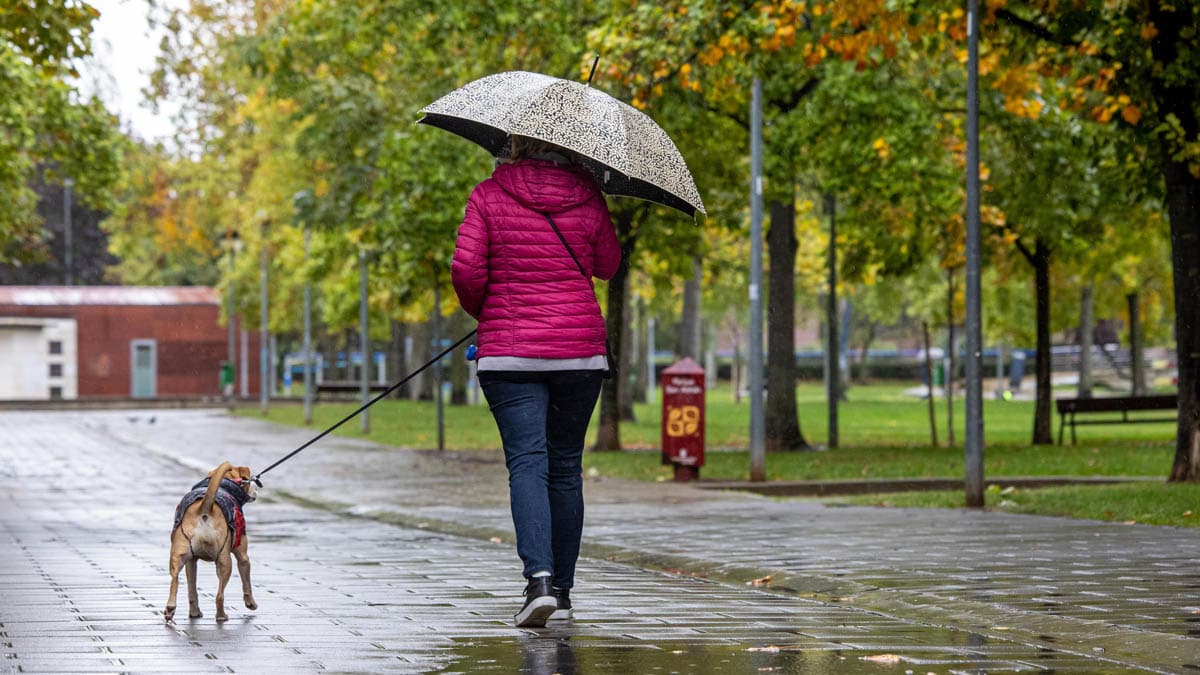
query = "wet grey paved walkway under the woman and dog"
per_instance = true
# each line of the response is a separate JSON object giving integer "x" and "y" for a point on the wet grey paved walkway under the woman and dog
{"x": 368, "y": 559}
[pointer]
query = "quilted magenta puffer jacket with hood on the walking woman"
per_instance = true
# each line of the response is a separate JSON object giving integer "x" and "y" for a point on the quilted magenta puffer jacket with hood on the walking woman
{"x": 513, "y": 273}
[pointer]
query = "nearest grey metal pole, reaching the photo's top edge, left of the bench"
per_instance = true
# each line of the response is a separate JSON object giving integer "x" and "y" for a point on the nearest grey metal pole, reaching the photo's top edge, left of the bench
{"x": 974, "y": 449}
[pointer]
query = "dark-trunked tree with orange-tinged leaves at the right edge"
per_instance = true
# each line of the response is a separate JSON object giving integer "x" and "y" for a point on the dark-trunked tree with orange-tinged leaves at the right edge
{"x": 1137, "y": 65}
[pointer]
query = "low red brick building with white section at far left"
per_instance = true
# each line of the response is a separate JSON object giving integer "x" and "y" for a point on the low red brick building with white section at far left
{"x": 116, "y": 342}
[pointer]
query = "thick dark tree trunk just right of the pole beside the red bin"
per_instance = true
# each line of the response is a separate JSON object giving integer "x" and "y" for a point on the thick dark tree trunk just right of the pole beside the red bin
{"x": 783, "y": 423}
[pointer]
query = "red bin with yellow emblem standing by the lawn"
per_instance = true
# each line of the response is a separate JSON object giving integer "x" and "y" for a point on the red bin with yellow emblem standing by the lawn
{"x": 683, "y": 419}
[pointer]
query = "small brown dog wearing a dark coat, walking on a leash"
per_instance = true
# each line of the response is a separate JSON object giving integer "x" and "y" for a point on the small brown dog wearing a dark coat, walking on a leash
{"x": 203, "y": 533}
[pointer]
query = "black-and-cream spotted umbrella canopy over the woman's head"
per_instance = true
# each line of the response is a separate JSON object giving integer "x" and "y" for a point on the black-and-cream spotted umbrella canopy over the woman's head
{"x": 631, "y": 156}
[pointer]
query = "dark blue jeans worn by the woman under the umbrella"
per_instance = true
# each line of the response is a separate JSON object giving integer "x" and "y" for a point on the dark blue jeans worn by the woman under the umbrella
{"x": 543, "y": 419}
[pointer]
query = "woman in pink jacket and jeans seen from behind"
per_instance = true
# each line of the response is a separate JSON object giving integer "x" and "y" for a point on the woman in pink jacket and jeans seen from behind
{"x": 535, "y": 236}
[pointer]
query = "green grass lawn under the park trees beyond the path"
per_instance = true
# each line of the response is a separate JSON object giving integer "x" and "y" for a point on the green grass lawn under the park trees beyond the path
{"x": 885, "y": 434}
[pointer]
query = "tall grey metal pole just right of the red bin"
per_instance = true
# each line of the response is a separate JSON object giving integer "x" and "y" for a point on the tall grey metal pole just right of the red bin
{"x": 758, "y": 420}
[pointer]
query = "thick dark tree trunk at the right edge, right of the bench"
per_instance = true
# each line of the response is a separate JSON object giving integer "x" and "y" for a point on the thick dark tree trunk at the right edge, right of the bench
{"x": 1177, "y": 97}
